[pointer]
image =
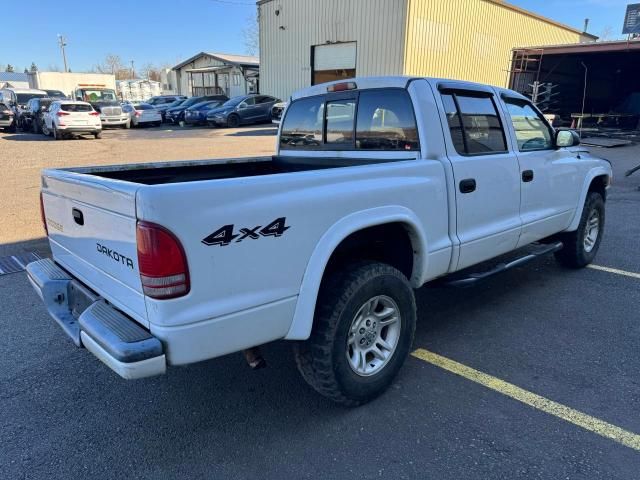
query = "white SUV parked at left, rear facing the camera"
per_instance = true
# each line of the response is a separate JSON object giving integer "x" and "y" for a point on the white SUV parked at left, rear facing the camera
{"x": 68, "y": 118}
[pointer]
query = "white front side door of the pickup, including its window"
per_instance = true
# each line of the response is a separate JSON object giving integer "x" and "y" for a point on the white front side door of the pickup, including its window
{"x": 551, "y": 183}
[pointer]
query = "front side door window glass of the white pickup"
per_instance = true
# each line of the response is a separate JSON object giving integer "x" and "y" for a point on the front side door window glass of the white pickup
{"x": 532, "y": 131}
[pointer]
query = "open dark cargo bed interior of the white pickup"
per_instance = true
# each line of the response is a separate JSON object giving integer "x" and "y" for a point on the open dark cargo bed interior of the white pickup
{"x": 191, "y": 171}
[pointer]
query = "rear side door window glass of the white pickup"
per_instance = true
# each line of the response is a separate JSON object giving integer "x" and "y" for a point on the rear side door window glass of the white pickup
{"x": 474, "y": 124}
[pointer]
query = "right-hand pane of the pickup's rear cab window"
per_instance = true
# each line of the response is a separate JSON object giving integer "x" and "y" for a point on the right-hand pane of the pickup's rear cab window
{"x": 386, "y": 121}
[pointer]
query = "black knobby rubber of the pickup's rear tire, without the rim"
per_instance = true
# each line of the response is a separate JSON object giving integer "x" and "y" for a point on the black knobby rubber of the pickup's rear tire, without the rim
{"x": 322, "y": 359}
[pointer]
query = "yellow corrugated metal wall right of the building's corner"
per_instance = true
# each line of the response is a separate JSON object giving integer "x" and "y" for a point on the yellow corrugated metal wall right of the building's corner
{"x": 472, "y": 39}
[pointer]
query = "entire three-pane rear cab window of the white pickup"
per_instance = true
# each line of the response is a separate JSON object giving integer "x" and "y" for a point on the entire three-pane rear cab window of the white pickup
{"x": 377, "y": 119}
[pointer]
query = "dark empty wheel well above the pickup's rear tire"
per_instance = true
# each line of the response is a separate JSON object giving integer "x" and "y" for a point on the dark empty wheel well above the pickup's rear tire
{"x": 389, "y": 243}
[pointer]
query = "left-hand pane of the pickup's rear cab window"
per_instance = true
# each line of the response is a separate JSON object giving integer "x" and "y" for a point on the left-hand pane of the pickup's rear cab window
{"x": 302, "y": 126}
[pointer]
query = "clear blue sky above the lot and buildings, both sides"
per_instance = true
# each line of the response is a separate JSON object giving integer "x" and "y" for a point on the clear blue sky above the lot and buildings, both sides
{"x": 166, "y": 31}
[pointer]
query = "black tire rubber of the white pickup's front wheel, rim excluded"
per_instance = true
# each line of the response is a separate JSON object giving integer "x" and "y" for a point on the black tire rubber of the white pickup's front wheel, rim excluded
{"x": 574, "y": 254}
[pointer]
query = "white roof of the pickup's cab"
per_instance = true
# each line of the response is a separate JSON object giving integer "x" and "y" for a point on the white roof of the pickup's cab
{"x": 399, "y": 81}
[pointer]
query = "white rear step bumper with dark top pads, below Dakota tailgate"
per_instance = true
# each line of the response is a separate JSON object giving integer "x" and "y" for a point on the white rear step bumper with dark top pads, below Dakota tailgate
{"x": 90, "y": 322}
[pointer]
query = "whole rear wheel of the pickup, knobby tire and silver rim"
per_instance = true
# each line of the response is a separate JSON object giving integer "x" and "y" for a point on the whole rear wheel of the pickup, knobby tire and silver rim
{"x": 363, "y": 329}
